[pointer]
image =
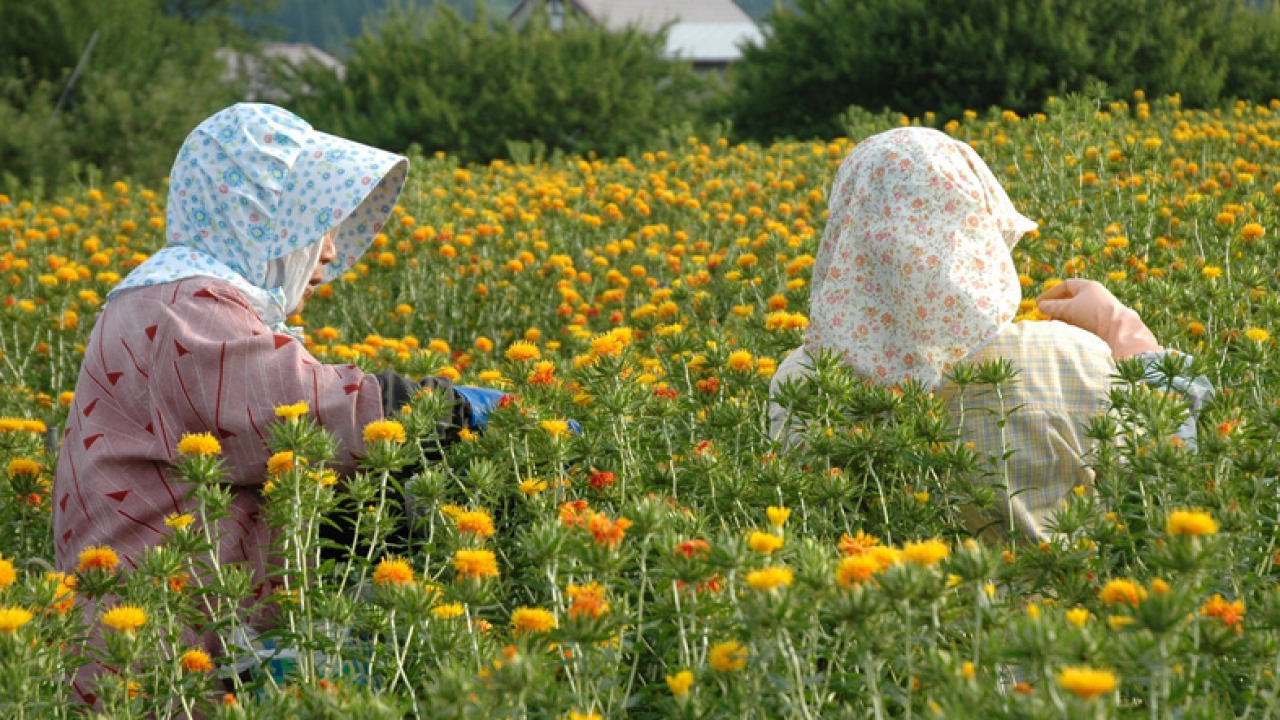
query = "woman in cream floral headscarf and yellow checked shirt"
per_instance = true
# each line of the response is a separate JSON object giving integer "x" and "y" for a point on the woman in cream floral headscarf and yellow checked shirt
{"x": 915, "y": 275}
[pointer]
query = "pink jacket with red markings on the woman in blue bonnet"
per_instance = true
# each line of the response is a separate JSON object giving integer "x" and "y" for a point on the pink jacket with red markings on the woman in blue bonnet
{"x": 188, "y": 357}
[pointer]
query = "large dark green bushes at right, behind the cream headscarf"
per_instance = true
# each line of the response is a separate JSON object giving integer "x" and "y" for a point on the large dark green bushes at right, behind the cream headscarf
{"x": 947, "y": 57}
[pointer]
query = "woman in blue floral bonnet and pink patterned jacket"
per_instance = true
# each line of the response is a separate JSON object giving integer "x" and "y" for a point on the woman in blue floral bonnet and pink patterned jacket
{"x": 262, "y": 211}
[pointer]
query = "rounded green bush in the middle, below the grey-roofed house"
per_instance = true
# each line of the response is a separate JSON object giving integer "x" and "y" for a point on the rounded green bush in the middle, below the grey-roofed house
{"x": 474, "y": 88}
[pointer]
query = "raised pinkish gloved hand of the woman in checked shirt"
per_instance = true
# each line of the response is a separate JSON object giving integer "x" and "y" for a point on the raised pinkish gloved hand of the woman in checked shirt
{"x": 1091, "y": 307}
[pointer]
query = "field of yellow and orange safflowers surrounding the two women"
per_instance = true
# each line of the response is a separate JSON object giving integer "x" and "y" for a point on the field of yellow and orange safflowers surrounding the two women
{"x": 671, "y": 560}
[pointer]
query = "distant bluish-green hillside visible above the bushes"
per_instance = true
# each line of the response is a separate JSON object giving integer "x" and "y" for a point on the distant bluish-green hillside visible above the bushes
{"x": 331, "y": 24}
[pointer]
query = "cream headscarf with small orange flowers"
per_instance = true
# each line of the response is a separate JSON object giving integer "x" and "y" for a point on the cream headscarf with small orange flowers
{"x": 915, "y": 272}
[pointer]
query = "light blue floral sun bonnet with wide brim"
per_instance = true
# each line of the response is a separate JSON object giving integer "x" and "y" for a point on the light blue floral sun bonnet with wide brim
{"x": 253, "y": 193}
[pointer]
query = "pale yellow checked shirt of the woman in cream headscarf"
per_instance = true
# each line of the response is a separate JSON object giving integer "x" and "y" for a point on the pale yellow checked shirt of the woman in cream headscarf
{"x": 1063, "y": 382}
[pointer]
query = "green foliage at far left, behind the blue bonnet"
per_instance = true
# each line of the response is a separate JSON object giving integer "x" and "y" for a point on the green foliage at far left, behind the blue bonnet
{"x": 148, "y": 81}
